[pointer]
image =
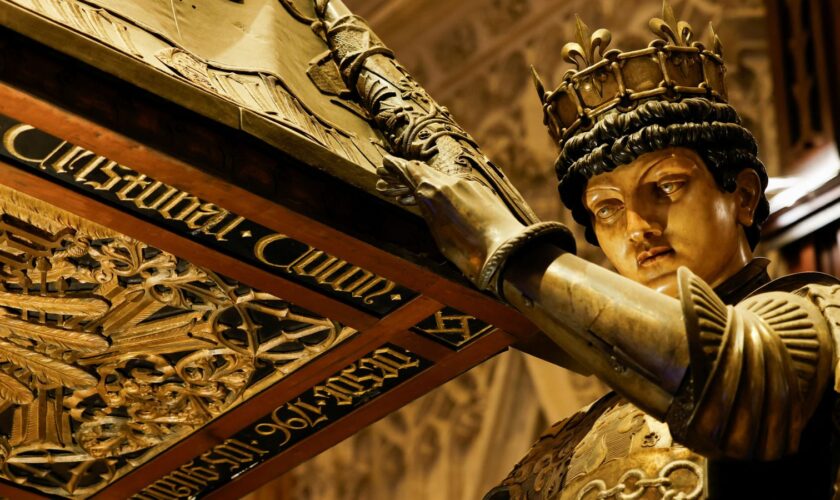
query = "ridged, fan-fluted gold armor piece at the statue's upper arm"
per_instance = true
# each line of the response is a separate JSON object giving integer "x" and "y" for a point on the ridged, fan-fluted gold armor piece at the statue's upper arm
{"x": 758, "y": 369}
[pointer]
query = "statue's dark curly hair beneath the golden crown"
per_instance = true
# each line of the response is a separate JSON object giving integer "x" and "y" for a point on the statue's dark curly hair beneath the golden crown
{"x": 712, "y": 129}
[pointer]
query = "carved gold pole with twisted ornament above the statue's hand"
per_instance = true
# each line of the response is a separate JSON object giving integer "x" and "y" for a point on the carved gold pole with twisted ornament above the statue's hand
{"x": 415, "y": 126}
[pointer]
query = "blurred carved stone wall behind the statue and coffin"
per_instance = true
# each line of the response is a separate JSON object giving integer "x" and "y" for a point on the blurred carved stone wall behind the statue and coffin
{"x": 473, "y": 56}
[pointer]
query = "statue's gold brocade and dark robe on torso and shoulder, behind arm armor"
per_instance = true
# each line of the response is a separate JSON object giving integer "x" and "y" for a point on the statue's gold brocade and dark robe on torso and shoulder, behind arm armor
{"x": 613, "y": 450}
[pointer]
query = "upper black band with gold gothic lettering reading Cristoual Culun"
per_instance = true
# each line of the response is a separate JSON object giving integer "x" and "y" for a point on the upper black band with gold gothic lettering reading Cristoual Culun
{"x": 204, "y": 222}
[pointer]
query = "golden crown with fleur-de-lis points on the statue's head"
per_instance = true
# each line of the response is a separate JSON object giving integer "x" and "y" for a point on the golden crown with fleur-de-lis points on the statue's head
{"x": 671, "y": 67}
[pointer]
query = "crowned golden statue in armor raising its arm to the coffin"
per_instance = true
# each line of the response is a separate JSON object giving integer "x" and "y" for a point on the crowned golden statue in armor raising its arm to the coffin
{"x": 723, "y": 379}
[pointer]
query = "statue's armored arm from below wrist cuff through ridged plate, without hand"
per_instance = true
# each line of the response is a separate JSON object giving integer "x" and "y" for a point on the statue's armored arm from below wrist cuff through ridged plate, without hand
{"x": 736, "y": 381}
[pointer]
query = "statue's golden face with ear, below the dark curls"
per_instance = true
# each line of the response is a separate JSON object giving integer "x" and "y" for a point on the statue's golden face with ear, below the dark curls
{"x": 664, "y": 210}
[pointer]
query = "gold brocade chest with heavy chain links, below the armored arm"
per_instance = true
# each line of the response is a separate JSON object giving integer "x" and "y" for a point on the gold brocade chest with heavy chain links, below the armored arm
{"x": 610, "y": 450}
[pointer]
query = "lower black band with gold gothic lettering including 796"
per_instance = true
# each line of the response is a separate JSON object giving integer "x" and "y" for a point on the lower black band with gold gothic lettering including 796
{"x": 318, "y": 407}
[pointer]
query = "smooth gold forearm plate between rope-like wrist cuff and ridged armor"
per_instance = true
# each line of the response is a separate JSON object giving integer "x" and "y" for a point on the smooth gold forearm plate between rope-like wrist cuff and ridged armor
{"x": 627, "y": 334}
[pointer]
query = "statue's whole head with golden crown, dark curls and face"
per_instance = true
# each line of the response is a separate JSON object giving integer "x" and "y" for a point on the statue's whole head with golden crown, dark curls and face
{"x": 654, "y": 162}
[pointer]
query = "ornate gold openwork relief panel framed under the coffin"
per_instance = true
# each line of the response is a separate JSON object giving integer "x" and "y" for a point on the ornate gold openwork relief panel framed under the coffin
{"x": 111, "y": 350}
